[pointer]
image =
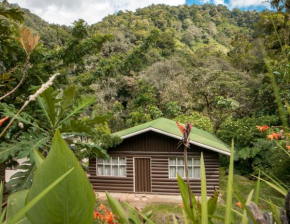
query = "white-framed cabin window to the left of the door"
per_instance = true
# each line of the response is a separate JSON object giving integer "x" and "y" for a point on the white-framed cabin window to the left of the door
{"x": 115, "y": 166}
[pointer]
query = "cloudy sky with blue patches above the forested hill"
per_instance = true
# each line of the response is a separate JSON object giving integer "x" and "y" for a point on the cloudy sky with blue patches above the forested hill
{"x": 92, "y": 11}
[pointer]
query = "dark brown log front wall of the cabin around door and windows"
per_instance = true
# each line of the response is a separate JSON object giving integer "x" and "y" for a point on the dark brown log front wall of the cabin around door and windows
{"x": 159, "y": 148}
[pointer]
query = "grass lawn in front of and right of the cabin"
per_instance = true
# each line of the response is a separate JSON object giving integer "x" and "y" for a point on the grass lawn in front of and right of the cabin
{"x": 241, "y": 184}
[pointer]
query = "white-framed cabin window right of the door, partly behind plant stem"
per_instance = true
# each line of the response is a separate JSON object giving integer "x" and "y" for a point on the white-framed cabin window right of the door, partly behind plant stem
{"x": 176, "y": 165}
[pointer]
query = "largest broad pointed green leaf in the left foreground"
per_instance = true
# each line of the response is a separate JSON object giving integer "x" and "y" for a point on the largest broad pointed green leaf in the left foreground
{"x": 72, "y": 201}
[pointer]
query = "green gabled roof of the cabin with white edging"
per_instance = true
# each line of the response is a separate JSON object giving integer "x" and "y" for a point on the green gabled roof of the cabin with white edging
{"x": 168, "y": 127}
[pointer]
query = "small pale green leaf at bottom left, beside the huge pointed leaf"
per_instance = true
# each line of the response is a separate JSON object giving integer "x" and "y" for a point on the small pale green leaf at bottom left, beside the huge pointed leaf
{"x": 15, "y": 203}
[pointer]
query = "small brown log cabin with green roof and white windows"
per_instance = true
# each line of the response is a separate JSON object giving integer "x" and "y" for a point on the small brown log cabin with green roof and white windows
{"x": 148, "y": 160}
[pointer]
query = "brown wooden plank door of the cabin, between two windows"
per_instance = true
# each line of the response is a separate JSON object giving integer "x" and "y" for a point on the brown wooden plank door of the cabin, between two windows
{"x": 142, "y": 174}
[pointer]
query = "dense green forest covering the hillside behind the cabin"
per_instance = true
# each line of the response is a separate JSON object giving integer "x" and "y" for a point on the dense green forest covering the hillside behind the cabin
{"x": 204, "y": 64}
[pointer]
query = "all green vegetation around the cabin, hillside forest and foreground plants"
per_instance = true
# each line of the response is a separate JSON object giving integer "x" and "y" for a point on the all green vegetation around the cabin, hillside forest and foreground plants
{"x": 225, "y": 70}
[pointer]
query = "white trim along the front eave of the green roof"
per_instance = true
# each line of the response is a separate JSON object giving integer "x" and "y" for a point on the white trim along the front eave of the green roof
{"x": 177, "y": 137}
